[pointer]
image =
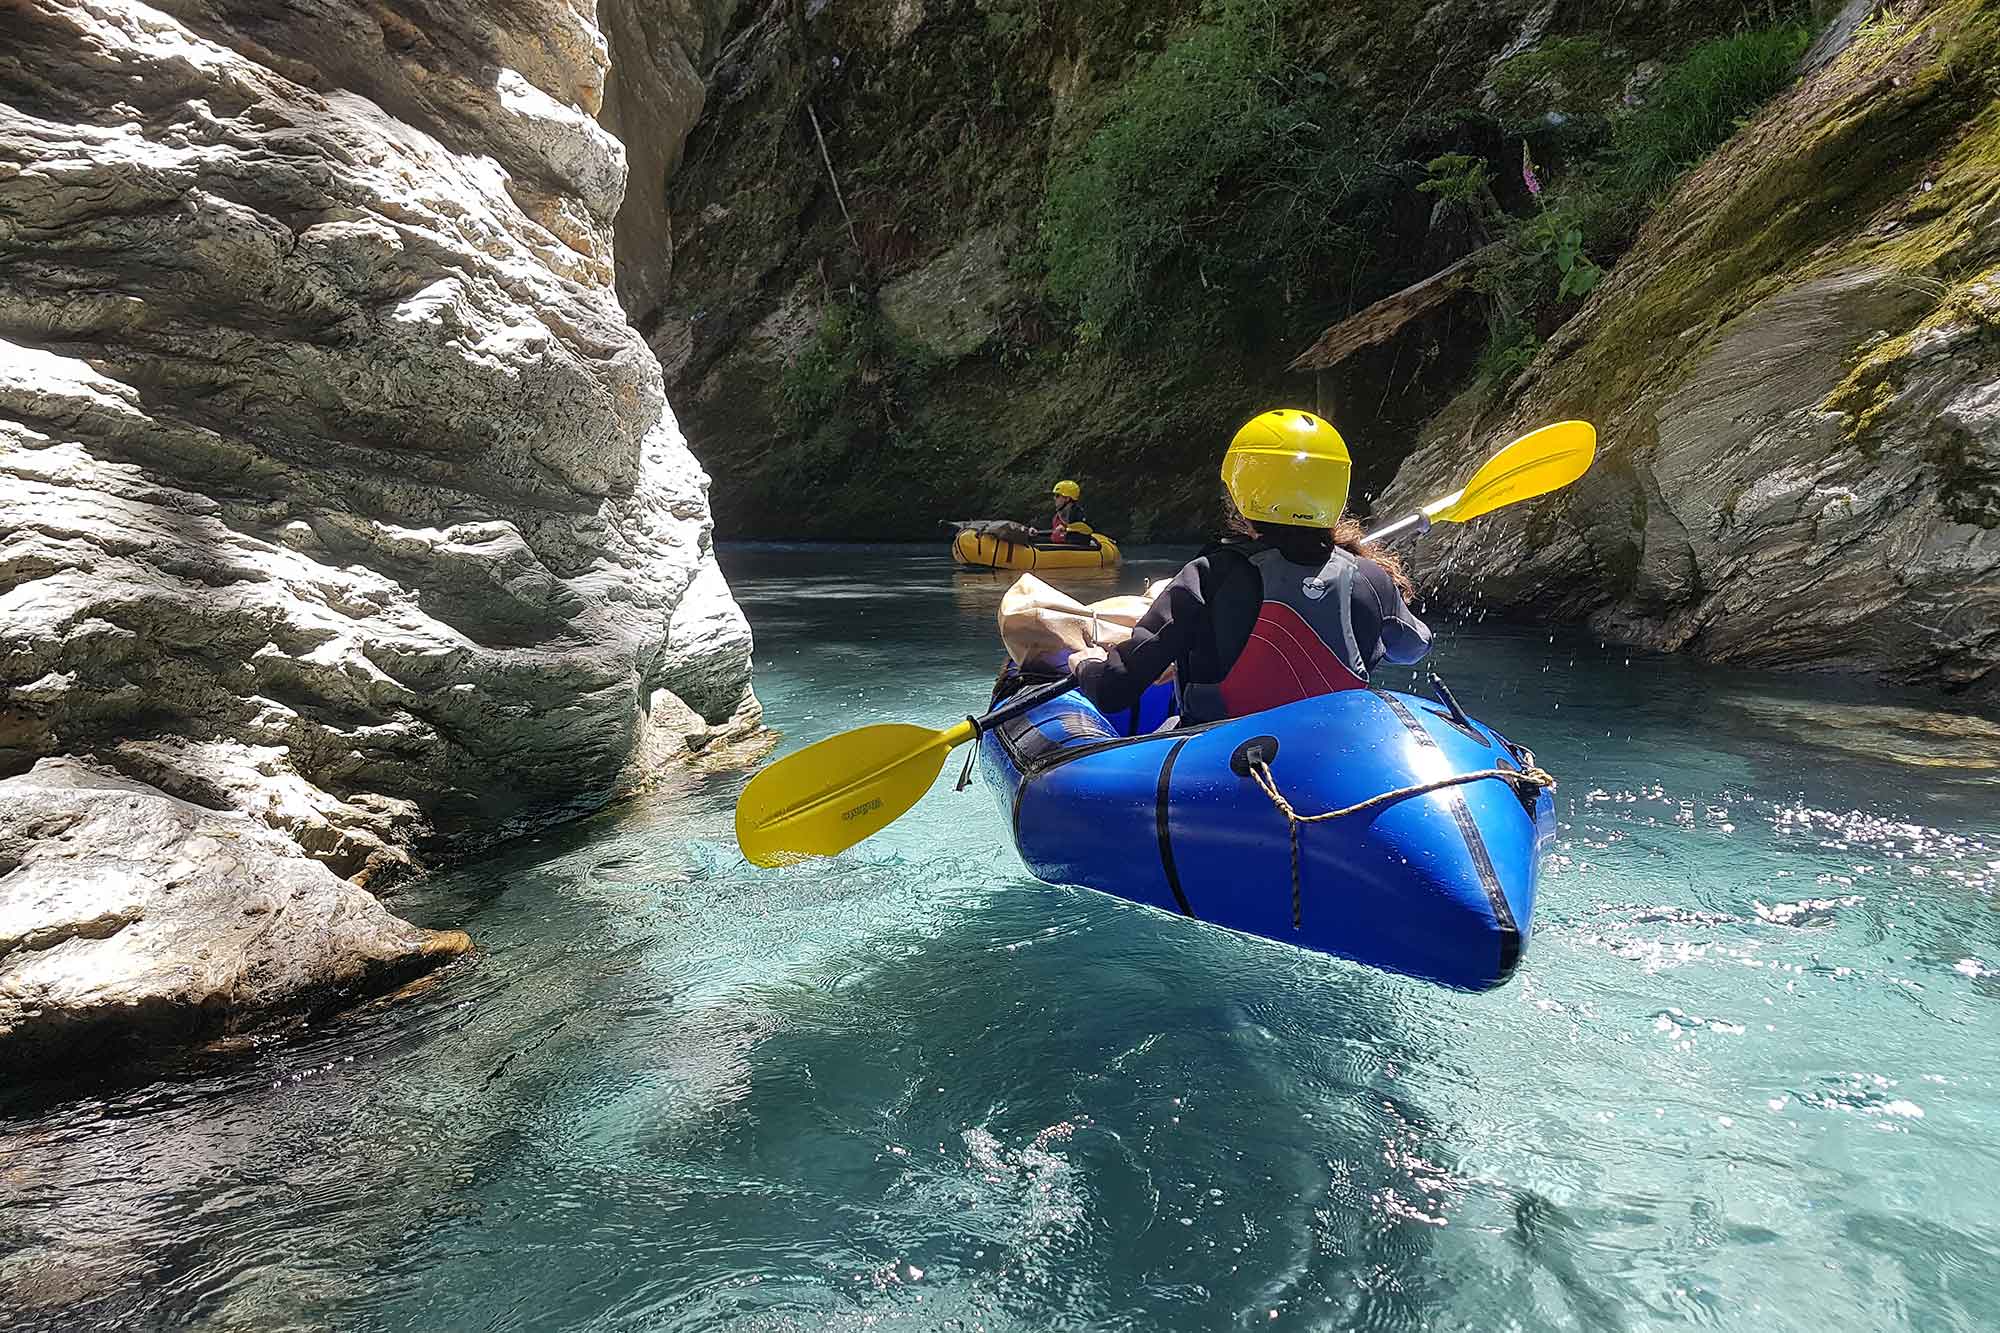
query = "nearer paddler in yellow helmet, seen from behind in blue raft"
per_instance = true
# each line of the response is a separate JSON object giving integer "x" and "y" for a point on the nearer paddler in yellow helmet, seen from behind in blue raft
{"x": 1297, "y": 607}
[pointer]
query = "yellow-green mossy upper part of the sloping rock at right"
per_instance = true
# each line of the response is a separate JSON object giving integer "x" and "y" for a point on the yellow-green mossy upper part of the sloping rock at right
{"x": 1785, "y": 203}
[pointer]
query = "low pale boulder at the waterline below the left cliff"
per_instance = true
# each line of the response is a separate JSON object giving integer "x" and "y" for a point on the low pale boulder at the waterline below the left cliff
{"x": 131, "y": 918}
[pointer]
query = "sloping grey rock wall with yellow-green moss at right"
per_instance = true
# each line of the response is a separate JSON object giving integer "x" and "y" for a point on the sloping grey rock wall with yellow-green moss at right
{"x": 1797, "y": 379}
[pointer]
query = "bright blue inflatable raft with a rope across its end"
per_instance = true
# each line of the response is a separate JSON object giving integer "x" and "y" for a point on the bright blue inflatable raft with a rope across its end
{"x": 1437, "y": 886}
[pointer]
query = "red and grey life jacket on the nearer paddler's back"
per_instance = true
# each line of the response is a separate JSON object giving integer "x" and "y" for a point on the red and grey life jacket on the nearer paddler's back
{"x": 1301, "y": 645}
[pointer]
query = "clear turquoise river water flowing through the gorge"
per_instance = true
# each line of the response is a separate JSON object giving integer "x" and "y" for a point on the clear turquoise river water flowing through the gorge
{"x": 1749, "y": 1076}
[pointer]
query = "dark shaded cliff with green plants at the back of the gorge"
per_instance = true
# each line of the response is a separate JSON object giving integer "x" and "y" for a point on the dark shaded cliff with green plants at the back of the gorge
{"x": 915, "y": 347}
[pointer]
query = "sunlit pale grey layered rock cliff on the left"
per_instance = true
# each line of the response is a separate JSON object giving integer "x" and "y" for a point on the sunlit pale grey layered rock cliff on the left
{"x": 335, "y": 489}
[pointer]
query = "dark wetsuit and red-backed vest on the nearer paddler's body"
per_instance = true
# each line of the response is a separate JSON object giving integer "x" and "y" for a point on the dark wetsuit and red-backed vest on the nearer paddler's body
{"x": 1251, "y": 627}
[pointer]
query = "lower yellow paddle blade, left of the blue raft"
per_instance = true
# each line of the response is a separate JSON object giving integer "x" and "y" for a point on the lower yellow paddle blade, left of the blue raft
{"x": 835, "y": 794}
